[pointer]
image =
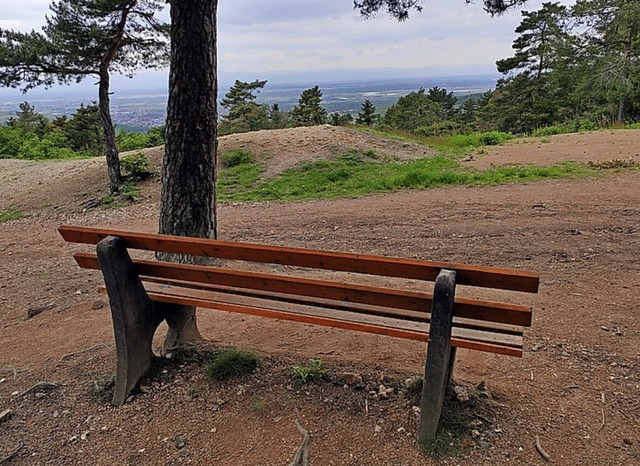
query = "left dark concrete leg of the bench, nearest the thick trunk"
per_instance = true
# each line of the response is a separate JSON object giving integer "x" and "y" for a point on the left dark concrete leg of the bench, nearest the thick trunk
{"x": 134, "y": 318}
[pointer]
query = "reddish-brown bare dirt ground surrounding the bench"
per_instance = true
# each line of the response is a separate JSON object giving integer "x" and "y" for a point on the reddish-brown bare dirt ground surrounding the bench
{"x": 577, "y": 388}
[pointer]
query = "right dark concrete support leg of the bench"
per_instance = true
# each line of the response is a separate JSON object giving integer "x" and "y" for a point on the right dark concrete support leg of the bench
{"x": 440, "y": 357}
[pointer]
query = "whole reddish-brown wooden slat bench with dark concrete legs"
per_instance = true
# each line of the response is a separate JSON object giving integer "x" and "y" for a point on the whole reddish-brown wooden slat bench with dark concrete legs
{"x": 142, "y": 293}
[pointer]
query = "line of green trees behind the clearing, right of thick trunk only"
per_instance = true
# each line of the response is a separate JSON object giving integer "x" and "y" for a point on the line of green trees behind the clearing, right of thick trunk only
{"x": 573, "y": 68}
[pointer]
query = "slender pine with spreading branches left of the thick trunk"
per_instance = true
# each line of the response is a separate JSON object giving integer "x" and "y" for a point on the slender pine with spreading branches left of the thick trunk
{"x": 84, "y": 38}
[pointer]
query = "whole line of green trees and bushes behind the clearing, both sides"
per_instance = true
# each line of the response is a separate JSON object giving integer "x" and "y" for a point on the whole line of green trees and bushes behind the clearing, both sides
{"x": 573, "y": 68}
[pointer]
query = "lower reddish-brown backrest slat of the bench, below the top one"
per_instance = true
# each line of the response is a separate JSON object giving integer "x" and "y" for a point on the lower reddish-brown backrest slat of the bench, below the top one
{"x": 465, "y": 308}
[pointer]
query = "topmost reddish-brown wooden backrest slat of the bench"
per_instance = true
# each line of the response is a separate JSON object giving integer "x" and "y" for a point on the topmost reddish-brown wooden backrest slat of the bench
{"x": 515, "y": 280}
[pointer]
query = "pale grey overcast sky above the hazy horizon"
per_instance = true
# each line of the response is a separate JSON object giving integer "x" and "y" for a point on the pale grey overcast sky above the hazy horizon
{"x": 257, "y": 37}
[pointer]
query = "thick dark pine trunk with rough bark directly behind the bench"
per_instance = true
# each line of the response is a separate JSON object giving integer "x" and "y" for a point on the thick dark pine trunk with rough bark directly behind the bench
{"x": 188, "y": 200}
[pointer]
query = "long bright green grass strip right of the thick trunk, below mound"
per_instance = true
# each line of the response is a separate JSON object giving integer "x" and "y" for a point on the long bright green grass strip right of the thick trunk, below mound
{"x": 352, "y": 175}
